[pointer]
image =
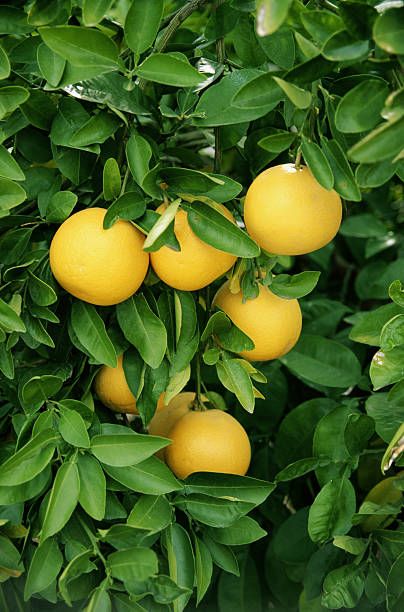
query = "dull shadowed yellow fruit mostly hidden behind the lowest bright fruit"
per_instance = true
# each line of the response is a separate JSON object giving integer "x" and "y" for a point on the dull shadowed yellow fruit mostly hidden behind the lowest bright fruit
{"x": 167, "y": 415}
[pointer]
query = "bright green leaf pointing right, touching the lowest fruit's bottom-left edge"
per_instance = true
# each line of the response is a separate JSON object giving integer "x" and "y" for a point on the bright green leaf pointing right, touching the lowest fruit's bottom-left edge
{"x": 151, "y": 477}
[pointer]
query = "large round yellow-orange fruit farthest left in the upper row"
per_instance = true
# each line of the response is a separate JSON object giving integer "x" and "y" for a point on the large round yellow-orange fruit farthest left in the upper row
{"x": 102, "y": 267}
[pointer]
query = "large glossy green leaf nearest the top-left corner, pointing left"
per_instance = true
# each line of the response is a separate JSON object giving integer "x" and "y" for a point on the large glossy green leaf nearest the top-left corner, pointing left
{"x": 82, "y": 47}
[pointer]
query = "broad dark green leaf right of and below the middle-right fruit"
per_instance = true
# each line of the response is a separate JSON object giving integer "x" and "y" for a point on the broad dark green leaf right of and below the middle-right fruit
{"x": 324, "y": 362}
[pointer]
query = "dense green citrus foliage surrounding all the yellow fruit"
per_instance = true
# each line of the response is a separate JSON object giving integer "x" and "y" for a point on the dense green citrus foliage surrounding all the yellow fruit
{"x": 125, "y": 105}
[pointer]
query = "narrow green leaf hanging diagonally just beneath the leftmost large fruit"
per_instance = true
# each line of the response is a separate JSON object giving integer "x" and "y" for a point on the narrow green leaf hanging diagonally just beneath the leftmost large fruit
{"x": 90, "y": 330}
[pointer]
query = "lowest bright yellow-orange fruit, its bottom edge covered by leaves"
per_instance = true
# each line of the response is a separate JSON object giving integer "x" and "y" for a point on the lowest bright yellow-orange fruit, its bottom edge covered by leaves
{"x": 208, "y": 441}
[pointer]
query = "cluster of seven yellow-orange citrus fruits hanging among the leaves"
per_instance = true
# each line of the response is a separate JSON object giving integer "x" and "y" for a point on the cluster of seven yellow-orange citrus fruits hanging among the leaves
{"x": 286, "y": 211}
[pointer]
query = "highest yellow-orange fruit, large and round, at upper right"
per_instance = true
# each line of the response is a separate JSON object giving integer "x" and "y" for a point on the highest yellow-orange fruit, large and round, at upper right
{"x": 287, "y": 212}
